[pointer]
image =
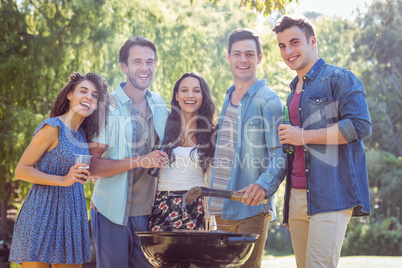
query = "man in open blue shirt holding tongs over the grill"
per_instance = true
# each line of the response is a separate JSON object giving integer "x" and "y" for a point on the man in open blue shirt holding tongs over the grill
{"x": 248, "y": 154}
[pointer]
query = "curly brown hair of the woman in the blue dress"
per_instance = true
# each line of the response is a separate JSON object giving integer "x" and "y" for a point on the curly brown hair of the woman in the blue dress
{"x": 97, "y": 120}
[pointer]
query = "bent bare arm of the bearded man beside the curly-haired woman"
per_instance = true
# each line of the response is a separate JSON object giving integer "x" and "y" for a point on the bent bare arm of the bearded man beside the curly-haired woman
{"x": 103, "y": 167}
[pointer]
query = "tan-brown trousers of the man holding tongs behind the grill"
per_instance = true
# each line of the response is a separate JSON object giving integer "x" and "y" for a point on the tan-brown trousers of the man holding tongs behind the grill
{"x": 257, "y": 224}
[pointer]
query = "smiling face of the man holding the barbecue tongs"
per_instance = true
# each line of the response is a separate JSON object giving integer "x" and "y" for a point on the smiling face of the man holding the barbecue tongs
{"x": 243, "y": 60}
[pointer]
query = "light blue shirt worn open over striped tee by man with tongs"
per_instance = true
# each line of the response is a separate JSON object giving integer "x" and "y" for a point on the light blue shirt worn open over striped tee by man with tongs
{"x": 258, "y": 153}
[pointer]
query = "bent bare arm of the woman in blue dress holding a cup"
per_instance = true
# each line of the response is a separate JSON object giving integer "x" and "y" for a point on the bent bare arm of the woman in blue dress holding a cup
{"x": 44, "y": 140}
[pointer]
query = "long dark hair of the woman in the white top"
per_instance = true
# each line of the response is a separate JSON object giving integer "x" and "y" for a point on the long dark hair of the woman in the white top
{"x": 205, "y": 124}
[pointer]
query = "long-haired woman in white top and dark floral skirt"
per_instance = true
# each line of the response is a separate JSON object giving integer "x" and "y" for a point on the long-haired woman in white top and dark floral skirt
{"x": 190, "y": 145}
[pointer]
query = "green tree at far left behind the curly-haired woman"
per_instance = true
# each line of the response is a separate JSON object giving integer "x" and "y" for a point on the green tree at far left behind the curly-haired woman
{"x": 42, "y": 42}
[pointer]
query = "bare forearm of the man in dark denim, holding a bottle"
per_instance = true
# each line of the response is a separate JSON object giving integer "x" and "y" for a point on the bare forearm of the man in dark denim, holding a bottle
{"x": 295, "y": 135}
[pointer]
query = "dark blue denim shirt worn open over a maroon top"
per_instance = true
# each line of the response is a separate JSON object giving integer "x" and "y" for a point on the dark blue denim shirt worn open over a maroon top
{"x": 336, "y": 174}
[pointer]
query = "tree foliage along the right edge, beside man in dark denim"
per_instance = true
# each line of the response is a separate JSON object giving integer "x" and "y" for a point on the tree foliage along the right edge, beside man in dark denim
{"x": 381, "y": 75}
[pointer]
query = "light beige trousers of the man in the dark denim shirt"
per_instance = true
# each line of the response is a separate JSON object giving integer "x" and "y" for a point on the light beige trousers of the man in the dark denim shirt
{"x": 317, "y": 240}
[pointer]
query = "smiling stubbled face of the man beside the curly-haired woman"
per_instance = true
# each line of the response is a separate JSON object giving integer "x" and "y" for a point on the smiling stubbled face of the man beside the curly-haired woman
{"x": 141, "y": 67}
